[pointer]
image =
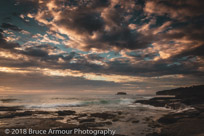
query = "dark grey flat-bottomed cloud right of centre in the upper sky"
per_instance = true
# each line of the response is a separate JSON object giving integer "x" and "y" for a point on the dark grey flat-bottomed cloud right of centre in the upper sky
{"x": 121, "y": 38}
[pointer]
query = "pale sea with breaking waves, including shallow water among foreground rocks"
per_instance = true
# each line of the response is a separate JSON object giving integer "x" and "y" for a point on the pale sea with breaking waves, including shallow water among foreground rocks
{"x": 133, "y": 121}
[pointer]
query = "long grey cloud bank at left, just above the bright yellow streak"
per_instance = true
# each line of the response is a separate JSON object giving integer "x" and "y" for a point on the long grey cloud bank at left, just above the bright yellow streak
{"x": 37, "y": 56}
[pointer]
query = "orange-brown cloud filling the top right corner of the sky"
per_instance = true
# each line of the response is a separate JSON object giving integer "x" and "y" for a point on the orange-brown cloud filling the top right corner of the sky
{"x": 177, "y": 9}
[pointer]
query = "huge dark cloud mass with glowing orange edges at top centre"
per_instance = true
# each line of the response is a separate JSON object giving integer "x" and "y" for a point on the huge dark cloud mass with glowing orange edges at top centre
{"x": 104, "y": 21}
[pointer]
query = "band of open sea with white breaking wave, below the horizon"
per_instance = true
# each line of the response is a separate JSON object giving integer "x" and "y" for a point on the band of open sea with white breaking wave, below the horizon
{"x": 97, "y": 101}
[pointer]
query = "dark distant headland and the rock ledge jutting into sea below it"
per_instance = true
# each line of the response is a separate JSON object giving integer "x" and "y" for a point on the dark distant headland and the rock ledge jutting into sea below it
{"x": 183, "y": 96}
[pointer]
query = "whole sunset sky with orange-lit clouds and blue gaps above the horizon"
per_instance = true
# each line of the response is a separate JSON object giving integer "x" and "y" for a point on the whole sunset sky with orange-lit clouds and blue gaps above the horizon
{"x": 100, "y": 46}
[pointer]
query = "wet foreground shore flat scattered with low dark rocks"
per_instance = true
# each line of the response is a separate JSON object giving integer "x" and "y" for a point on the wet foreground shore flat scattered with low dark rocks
{"x": 70, "y": 120}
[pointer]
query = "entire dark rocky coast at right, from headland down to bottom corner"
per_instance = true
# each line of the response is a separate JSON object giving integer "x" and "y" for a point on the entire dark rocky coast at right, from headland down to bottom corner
{"x": 188, "y": 122}
